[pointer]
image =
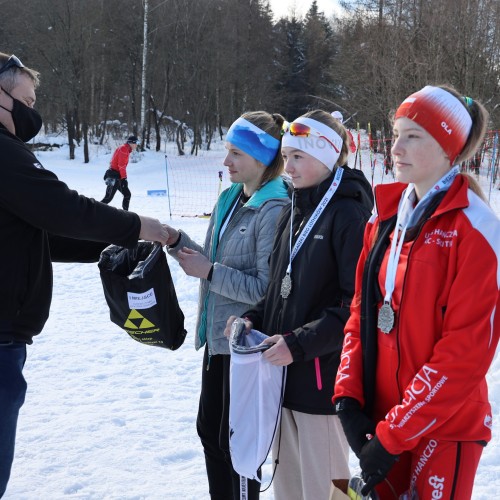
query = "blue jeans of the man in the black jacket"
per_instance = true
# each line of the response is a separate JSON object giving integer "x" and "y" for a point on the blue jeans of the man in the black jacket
{"x": 12, "y": 393}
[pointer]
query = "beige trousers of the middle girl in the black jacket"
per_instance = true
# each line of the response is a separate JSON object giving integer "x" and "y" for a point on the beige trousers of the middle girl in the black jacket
{"x": 312, "y": 451}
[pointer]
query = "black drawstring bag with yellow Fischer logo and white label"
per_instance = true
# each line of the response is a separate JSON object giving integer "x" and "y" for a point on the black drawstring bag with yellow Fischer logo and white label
{"x": 140, "y": 294}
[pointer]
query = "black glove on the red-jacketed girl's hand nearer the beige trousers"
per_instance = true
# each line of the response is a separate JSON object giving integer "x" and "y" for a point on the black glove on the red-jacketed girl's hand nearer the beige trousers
{"x": 355, "y": 422}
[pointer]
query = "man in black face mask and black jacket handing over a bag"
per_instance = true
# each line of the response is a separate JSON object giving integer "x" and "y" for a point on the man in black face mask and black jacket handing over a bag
{"x": 41, "y": 220}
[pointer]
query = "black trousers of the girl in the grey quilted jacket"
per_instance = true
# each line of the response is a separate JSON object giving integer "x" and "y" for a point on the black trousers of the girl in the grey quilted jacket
{"x": 213, "y": 428}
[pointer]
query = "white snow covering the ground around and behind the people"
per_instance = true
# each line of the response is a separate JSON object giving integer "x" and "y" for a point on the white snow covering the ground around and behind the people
{"x": 108, "y": 418}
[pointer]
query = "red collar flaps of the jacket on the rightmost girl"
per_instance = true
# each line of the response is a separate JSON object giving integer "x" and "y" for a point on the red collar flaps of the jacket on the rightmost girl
{"x": 387, "y": 197}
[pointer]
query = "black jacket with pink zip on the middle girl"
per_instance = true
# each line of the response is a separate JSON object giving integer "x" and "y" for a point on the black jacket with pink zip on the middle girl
{"x": 312, "y": 318}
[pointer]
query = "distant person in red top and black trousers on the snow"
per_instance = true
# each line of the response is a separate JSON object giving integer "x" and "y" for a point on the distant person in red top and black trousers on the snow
{"x": 116, "y": 175}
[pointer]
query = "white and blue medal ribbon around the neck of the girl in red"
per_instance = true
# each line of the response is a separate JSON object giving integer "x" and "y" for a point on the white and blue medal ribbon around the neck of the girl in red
{"x": 407, "y": 217}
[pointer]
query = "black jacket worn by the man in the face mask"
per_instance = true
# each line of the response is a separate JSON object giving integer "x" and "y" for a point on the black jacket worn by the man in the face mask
{"x": 41, "y": 220}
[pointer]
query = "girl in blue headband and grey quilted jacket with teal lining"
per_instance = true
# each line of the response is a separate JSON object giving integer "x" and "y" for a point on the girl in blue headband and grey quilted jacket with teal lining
{"x": 233, "y": 265}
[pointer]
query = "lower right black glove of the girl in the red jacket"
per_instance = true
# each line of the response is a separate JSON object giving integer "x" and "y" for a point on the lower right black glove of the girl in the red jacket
{"x": 375, "y": 462}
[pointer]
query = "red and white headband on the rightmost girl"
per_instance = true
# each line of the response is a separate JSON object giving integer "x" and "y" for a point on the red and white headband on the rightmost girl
{"x": 441, "y": 114}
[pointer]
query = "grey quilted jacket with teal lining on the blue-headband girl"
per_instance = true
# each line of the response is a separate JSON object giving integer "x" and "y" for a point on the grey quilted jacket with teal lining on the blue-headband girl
{"x": 241, "y": 259}
